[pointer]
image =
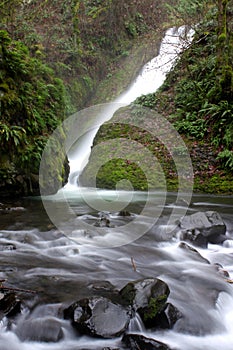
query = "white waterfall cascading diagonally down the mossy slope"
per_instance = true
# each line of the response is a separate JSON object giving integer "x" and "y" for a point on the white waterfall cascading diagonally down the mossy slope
{"x": 150, "y": 78}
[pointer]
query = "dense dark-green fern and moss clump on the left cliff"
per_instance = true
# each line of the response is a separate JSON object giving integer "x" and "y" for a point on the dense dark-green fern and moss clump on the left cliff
{"x": 33, "y": 103}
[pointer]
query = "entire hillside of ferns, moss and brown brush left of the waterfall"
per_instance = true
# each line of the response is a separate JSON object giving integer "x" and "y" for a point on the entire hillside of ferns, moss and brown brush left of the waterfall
{"x": 53, "y": 55}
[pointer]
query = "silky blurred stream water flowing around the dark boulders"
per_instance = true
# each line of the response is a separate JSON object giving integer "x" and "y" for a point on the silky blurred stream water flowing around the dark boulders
{"x": 36, "y": 256}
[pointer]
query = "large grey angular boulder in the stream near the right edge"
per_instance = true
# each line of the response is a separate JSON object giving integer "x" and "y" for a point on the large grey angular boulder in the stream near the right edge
{"x": 203, "y": 227}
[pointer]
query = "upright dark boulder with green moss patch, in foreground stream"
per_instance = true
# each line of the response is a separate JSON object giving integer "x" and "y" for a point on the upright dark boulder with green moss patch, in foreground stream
{"x": 149, "y": 298}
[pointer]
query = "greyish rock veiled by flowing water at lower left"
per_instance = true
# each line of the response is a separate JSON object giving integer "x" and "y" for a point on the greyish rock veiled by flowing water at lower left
{"x": 40, "y": 329}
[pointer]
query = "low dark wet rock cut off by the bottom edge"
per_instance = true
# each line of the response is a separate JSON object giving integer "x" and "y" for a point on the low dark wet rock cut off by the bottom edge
{"x": 136, "y": 342}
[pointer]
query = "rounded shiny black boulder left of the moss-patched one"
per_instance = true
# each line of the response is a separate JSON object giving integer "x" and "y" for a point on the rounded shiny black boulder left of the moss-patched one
{"x": 98, "y": 316}
